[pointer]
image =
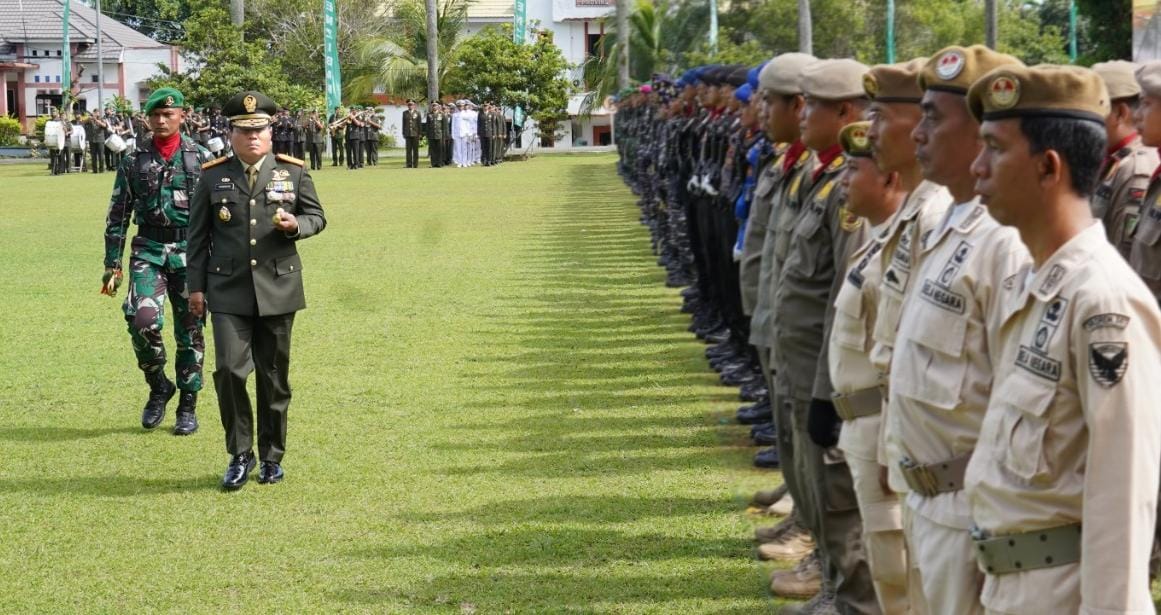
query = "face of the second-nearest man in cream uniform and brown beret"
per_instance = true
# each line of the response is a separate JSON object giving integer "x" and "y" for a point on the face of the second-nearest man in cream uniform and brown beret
{"x": 947, "y": 138}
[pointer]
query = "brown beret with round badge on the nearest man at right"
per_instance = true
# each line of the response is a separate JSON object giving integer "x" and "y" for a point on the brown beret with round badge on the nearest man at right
{"x": 1042, "y": 91}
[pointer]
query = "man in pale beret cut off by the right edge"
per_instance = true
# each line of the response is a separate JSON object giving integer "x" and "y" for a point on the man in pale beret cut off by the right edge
{"x": 1145, "y": 256}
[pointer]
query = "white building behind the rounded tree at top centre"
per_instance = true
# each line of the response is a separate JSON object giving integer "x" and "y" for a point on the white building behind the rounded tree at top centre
{"x": 576, "y": 26}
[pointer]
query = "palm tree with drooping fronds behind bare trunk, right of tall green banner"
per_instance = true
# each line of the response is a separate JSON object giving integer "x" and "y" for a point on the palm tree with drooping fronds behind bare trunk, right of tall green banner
{"x": 398, "y": 63}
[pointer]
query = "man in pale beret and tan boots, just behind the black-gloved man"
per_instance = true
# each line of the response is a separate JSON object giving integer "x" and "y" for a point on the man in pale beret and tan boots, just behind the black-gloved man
{"x": 777, "y": 190}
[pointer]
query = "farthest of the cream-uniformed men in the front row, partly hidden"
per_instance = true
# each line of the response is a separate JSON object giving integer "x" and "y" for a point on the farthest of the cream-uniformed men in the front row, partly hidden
{"x": 874, "y": 197}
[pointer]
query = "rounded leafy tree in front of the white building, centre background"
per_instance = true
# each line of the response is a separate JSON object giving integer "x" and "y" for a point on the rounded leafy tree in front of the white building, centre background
{"x": 492, "y": 67}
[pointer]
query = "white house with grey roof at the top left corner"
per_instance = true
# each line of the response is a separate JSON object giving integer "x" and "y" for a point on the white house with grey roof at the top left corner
{"x": 32, "y": 54}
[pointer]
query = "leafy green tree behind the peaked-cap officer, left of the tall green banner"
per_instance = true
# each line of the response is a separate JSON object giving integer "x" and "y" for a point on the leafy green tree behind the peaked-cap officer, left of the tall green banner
{"x": 223, "y": 64}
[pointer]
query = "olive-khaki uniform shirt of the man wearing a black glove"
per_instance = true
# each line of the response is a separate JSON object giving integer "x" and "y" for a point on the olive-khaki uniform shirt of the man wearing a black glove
{"x": 809, "y": 283}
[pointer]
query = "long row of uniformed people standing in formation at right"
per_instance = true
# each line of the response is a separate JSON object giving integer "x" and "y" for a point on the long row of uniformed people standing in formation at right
{"x": 946, "y": 273}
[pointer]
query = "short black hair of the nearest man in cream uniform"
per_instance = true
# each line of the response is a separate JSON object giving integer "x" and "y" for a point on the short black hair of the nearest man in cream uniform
{"x": 1079, "y": 142}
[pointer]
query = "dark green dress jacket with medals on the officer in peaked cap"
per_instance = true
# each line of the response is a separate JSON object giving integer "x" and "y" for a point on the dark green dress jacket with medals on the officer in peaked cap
{"x": 236, "y": 257}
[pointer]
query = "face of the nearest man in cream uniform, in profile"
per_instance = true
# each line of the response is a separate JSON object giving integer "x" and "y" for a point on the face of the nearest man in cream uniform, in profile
{"x": 1007, "y": 175}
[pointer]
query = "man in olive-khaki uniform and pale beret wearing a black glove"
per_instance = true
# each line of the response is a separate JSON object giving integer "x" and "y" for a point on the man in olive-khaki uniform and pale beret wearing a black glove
{"x": 825, "y": 233}
